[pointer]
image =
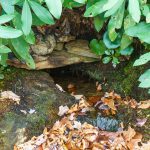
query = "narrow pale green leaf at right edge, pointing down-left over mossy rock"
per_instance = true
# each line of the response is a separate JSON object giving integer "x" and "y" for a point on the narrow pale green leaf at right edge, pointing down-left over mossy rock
{"x": 142, "y": 60}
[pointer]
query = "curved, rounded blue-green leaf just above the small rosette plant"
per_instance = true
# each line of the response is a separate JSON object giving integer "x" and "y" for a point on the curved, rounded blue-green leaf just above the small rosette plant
{"x": 109, "y": 44}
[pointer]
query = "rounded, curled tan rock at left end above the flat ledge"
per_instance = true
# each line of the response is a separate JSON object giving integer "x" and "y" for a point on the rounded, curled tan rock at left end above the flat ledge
{"x": 44, "y": 48}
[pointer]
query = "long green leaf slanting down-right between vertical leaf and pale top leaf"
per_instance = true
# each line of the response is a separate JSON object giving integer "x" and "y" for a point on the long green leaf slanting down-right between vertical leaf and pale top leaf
{"x": 42, "y": 13}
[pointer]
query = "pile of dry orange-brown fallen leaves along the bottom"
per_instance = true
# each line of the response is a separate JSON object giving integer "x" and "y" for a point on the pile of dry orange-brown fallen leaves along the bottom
{"x": 69, "y": 134}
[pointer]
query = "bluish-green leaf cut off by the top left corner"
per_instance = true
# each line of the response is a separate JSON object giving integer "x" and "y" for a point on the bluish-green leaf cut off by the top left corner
{"x": 7, "y": 5}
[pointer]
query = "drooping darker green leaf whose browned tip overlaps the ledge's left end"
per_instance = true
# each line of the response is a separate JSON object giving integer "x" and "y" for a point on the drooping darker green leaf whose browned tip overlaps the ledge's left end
{"x": 22, "y": 49}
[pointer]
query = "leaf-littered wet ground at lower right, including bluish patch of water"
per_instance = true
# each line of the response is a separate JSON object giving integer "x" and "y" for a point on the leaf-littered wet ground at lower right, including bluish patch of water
{"x": 97, "y": 122}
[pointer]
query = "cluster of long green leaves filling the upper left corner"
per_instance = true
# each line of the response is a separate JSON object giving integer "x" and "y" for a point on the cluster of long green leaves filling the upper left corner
{"x": 16, "y": 21}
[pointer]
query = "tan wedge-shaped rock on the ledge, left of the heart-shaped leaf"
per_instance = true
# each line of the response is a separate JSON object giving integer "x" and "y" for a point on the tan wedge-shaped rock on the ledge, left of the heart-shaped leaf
{"x": 80, "y": 47}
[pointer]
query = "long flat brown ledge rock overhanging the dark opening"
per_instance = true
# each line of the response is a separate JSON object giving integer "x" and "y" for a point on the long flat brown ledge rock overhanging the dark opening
{"x": 55, "y": 60}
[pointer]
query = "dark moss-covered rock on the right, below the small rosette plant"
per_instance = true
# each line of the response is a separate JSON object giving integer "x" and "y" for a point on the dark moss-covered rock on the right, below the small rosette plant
{"x": 123, "y": 79}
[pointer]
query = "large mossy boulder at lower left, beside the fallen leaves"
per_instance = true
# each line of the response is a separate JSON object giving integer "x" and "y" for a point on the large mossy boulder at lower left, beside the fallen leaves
{"x": 39, "y": 105}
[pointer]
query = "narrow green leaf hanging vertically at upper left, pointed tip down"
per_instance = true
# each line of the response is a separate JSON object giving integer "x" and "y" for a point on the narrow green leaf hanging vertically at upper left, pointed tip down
{"x": 26, "y": 18}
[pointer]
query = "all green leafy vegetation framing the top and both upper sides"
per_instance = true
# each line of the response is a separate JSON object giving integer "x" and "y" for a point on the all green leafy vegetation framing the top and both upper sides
{"x": 124, "y": 21}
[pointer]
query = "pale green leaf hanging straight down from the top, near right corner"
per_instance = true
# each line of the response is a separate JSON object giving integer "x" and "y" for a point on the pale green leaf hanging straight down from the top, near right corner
{"x": 134, "y": 10}
